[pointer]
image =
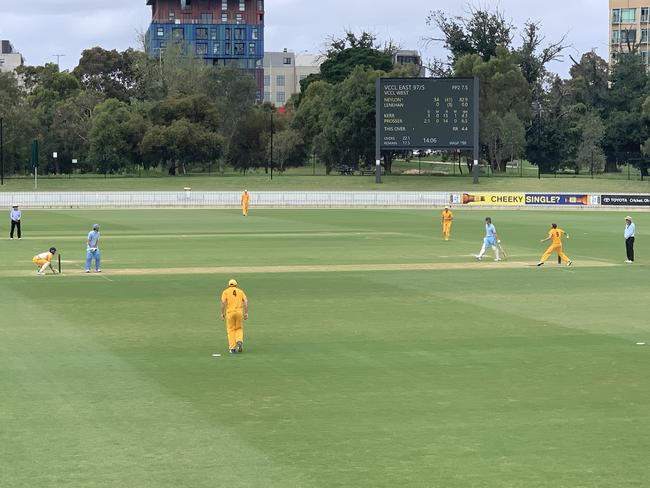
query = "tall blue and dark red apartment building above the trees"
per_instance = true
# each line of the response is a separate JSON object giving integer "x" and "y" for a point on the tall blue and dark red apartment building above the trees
{"x": 218, "y": 31}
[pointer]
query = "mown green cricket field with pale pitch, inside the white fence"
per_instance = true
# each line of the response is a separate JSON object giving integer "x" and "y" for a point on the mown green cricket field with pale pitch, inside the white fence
{"x": 376, "y": 354}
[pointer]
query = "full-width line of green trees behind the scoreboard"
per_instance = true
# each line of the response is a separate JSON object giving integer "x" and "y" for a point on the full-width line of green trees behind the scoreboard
{"x": 118, "y": 112}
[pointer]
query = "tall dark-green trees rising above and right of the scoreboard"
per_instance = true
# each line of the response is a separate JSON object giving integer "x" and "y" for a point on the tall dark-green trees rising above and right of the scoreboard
{"x": 594, "y": 121}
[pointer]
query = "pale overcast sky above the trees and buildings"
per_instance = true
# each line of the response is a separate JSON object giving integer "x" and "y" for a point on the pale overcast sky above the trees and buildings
{"x": 39, "y": 29}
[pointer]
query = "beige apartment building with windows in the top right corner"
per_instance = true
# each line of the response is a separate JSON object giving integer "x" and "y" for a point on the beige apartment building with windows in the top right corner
{"x": 629, "y": 21}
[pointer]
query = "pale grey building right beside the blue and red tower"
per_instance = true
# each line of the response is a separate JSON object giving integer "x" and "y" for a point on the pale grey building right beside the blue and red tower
{"x": 283, "y": 72}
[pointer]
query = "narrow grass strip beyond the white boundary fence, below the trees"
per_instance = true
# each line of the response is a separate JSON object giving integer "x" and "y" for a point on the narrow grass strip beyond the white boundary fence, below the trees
{"x": 301, "y": 182}
